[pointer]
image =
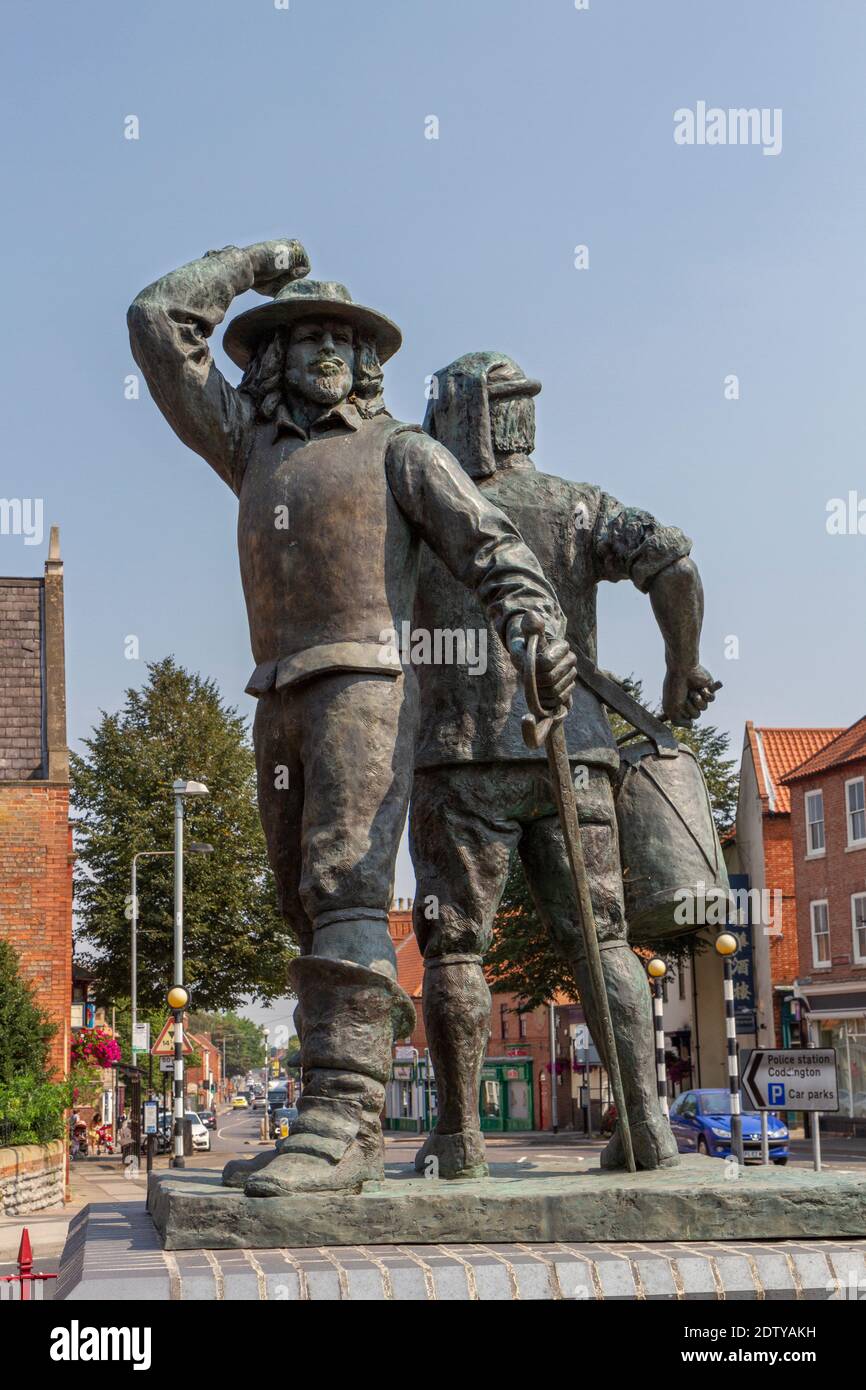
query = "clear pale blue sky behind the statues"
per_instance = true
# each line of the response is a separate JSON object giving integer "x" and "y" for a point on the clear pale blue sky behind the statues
{"x": 555, "y": 130}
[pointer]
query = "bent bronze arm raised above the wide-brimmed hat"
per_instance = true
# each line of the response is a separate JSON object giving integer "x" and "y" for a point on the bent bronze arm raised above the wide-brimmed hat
{"x": 170, "y": 323}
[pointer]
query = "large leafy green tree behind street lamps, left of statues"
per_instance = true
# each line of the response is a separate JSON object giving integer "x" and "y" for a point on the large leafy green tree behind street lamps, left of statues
{"x": 236, "y": 943}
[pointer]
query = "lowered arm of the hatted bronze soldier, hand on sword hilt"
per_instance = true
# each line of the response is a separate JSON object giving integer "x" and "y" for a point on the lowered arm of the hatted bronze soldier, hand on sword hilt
{"x": 483, "y": 550}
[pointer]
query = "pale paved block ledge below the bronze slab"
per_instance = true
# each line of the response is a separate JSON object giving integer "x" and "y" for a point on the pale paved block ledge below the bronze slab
{"x": 115, "y": 1254}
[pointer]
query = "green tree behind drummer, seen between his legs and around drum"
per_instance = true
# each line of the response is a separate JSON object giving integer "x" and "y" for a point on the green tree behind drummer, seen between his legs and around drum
{"x": 522, "y": 960}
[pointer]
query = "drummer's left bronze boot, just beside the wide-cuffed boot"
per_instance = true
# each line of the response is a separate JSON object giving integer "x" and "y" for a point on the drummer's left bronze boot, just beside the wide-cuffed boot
{"x": 457, "y": 1018}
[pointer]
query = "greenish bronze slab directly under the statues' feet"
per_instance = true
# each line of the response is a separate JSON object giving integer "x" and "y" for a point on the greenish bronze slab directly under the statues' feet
{"x": 698, "y": 1200}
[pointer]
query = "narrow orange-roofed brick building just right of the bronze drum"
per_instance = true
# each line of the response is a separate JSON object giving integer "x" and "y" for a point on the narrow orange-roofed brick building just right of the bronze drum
{"x": 762, "y": 850}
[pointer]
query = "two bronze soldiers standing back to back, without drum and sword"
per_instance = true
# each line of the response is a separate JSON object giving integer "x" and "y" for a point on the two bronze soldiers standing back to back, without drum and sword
{"x": 351, "y": 526}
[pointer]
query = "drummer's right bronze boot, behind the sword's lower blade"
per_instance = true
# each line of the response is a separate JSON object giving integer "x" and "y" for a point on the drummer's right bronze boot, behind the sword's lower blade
{"x": 632, "y": 1017}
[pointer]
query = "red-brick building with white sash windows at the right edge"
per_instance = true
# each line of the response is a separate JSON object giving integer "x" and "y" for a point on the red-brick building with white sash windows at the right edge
{"x": 829, "y": 837}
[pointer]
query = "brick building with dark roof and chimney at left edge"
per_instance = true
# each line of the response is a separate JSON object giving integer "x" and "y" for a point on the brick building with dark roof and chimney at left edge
{"x": 35, "y": 833}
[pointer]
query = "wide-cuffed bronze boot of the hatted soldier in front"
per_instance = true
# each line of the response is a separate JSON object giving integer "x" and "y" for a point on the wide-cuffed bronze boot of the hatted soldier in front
{"x": 351, "y": 1015}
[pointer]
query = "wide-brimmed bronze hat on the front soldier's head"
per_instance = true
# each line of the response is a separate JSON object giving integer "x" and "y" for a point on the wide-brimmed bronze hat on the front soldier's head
{"x": 309, "y": 300}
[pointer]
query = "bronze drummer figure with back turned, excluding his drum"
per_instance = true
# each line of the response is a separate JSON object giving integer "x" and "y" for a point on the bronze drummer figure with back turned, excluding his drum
{"x": 480, "y": 793}
